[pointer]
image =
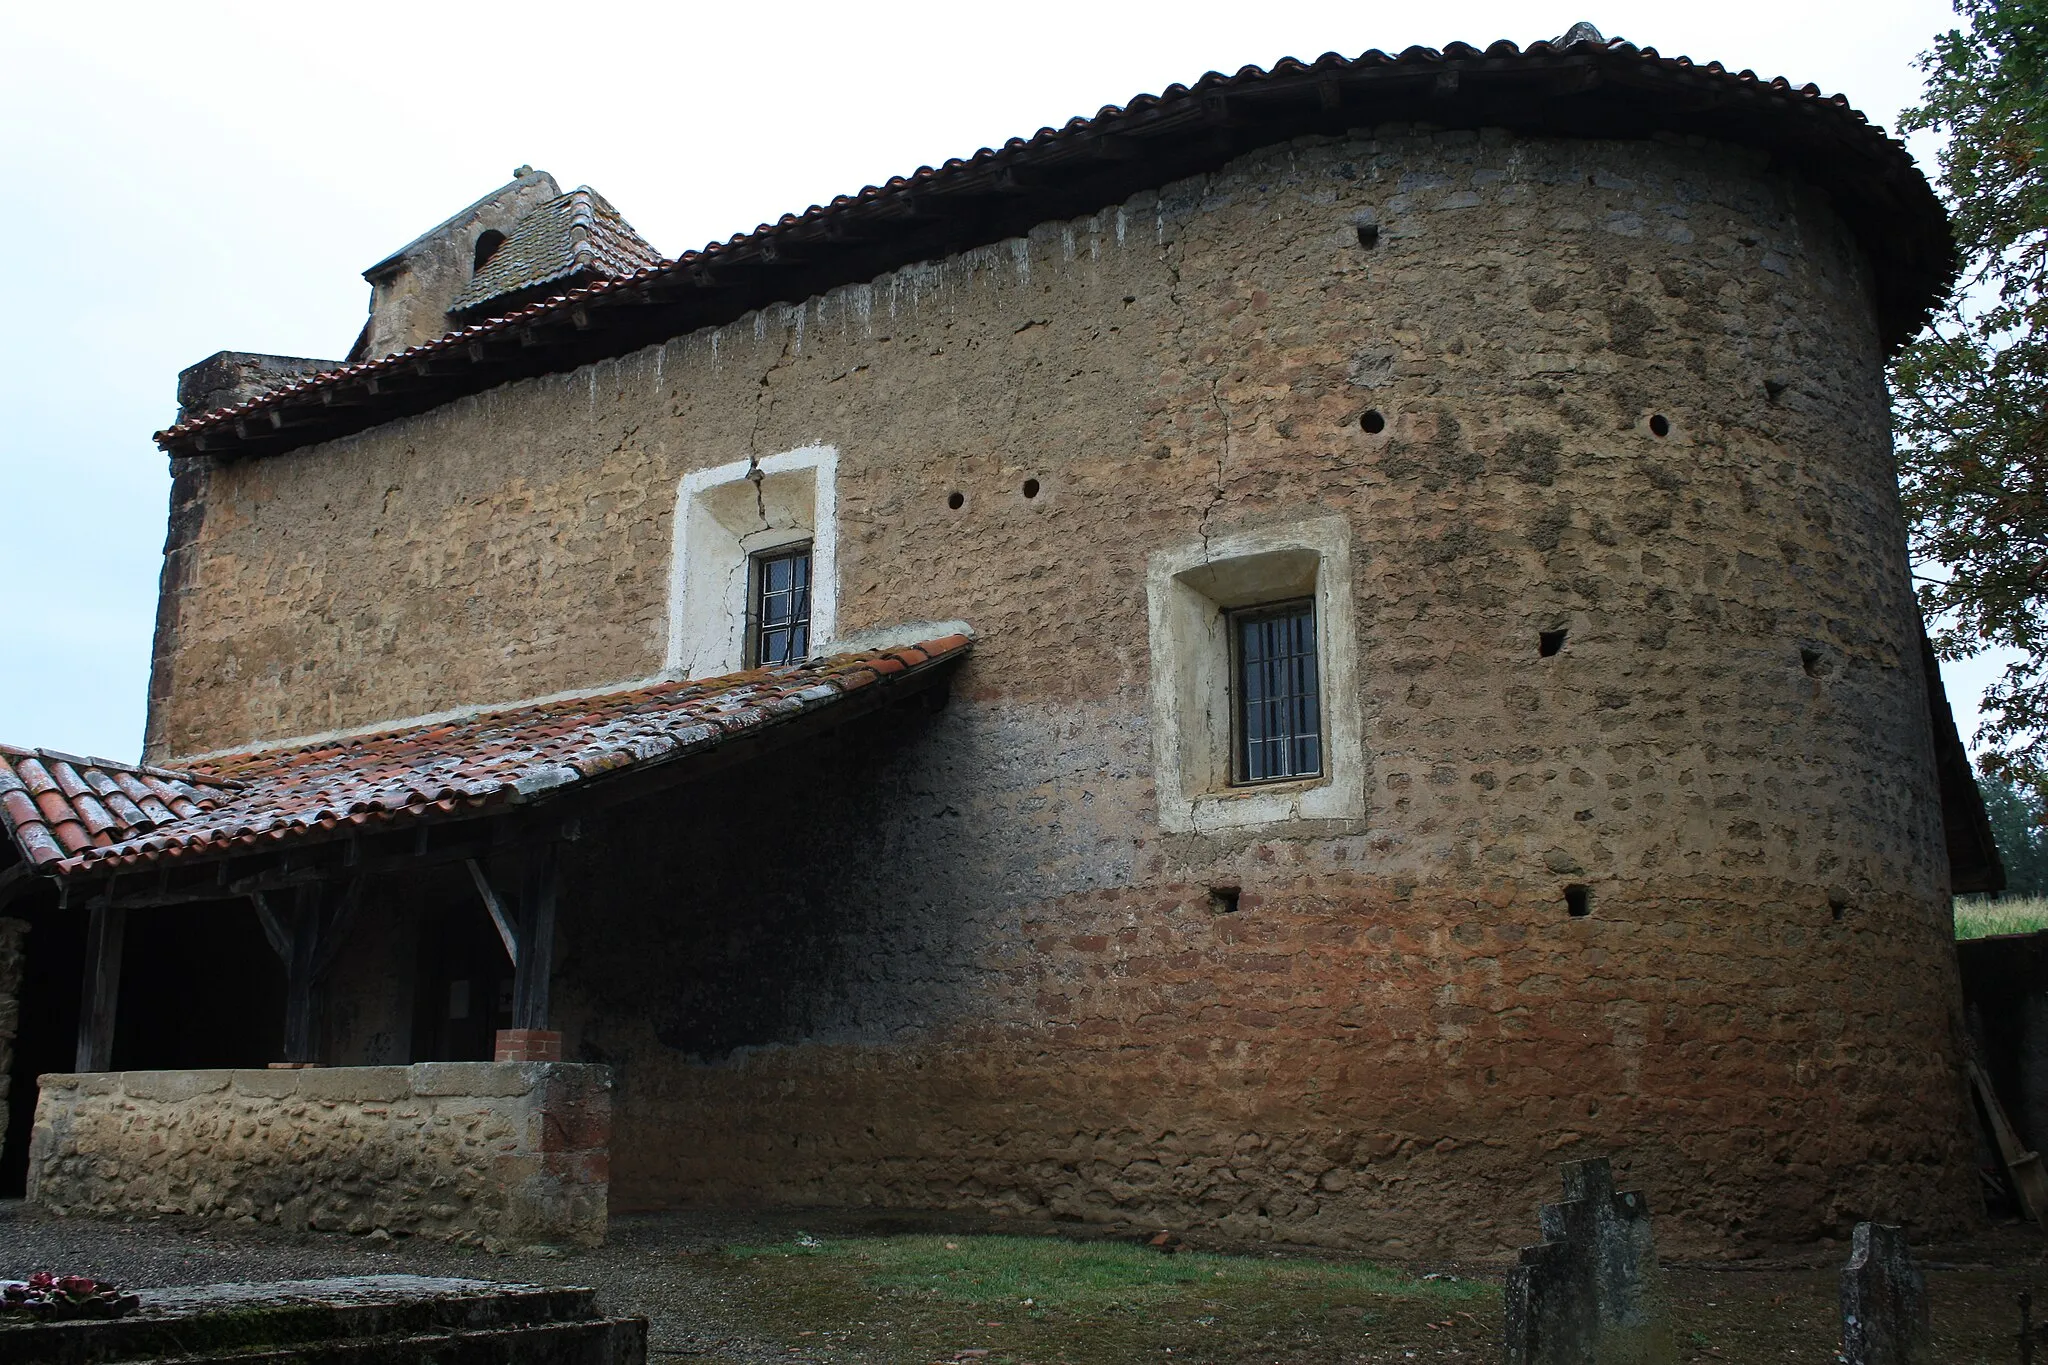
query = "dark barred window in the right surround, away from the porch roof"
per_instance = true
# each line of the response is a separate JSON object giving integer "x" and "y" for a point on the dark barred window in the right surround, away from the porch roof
{"x": 1279, "y": 707}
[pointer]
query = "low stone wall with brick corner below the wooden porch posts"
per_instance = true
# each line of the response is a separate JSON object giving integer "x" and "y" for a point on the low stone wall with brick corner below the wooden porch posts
{"x": 493, "y": 1155}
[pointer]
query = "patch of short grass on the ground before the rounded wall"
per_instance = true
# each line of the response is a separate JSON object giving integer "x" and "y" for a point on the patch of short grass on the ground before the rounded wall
{"x": 1015, "y": 1301}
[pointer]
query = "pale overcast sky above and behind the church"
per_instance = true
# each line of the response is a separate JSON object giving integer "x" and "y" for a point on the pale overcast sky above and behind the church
{"x": 204, "y": 175}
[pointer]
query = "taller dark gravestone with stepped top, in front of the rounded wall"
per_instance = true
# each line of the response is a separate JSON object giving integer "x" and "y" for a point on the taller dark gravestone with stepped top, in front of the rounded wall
{"x": 1590, "y": 1292}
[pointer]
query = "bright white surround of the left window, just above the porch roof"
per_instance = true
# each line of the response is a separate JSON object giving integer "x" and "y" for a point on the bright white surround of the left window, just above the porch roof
{"x": 726, "y": 517}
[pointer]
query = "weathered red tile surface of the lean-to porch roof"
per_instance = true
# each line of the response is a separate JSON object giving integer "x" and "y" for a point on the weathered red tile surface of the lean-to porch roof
{"x": 73, "y": 816}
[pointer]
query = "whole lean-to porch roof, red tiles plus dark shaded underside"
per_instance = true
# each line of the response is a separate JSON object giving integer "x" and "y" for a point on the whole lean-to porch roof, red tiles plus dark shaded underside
{"x": 390, "y": 799}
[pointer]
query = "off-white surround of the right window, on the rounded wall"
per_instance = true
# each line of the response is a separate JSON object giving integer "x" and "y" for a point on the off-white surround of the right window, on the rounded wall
{"x": 1191, "y": 595}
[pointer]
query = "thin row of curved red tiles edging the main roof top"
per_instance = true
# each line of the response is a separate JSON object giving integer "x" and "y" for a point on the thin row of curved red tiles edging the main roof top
{"x": 1101, "y": 124}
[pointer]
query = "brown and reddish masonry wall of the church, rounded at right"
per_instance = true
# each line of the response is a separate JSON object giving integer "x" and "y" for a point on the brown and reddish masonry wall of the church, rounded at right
{"x": 1629, "y": 392}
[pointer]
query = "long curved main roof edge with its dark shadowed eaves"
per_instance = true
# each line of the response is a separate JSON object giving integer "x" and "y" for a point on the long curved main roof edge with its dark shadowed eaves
{"x": 1568, "y": 89}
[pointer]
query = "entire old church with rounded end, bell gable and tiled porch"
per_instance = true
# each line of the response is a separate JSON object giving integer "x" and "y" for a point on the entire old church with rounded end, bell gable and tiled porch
{"x": 1277, "y": 660}
